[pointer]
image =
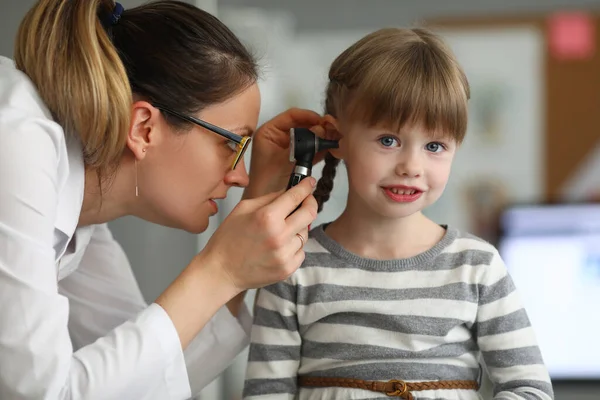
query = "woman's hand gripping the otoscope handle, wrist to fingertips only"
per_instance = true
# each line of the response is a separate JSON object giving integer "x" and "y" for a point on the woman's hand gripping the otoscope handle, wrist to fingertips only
{"x": 257, "y": 244}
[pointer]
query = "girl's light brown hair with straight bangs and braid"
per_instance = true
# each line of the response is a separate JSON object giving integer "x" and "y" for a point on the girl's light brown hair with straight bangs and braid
{"x": 395, "y": 77}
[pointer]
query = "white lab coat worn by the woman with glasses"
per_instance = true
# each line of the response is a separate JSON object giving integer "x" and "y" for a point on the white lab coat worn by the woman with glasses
{"x": 73, "y": 323}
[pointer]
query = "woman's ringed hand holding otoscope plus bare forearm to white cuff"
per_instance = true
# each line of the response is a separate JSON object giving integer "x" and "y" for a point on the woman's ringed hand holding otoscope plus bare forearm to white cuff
{"x": 256, "y": 245}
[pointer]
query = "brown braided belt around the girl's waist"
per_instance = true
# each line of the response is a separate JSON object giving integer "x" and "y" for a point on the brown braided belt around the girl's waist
{"x": 392, "y": 388}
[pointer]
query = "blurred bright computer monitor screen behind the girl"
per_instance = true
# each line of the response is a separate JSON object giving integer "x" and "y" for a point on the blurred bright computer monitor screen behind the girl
{"x": 552, "y": 252}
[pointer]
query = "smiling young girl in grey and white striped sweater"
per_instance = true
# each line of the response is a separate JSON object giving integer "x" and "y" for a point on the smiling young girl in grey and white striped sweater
{"x": 387, "y": 302}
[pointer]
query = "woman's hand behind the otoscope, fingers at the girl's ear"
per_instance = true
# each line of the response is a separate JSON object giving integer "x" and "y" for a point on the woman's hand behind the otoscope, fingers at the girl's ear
{"x": 270, "y": 167}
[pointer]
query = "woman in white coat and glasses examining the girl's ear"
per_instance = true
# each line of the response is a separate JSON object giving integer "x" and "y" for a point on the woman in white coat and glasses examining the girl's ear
{"x": 143, "y": 112}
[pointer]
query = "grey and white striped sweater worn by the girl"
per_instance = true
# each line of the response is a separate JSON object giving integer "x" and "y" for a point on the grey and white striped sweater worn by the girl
{"x": 430, "y": 317}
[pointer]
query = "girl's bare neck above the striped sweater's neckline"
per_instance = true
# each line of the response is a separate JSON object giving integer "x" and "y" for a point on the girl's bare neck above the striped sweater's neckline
{"x": 384, "y": 238}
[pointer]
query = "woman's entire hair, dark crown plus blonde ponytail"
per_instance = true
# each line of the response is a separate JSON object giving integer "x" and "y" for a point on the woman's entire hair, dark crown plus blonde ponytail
{"x": 86, "y": 67}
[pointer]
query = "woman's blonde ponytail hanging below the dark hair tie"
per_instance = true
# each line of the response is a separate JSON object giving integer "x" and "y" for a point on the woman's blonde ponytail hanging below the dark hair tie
{"x": 64, "y": 49}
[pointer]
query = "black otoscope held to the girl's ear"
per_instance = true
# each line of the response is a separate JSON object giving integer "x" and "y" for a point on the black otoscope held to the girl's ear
{"x": 304, "y": 144}
